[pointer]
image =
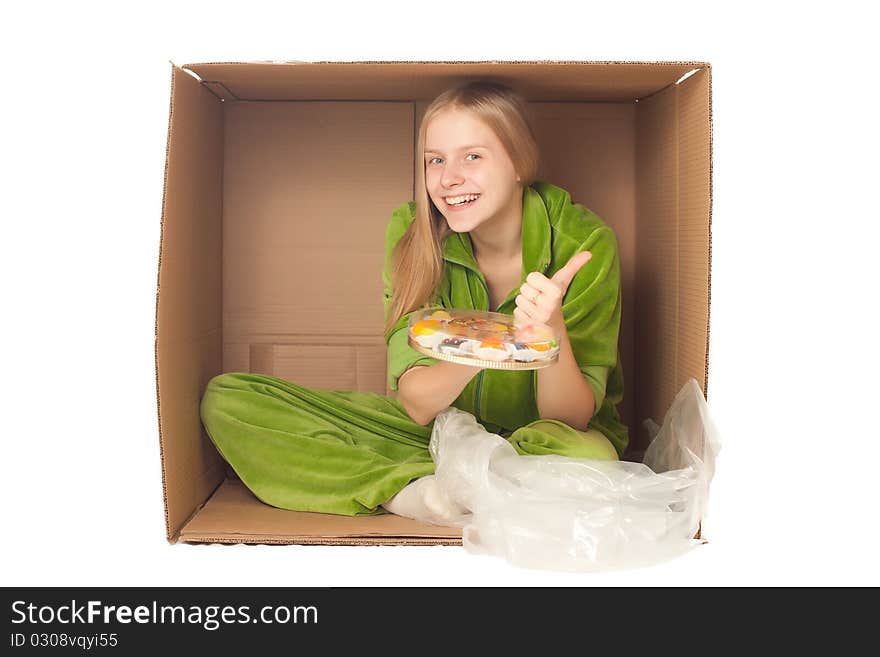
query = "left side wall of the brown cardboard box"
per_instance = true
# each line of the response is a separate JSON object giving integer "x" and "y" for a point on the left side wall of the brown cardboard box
{"x": 189, "y": 297}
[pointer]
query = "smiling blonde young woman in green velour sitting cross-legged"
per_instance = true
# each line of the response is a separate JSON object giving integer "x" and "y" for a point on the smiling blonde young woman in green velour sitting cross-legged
{"x": 483, "y": 234}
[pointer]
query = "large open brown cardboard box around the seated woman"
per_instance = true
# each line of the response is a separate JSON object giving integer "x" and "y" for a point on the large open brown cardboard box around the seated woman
{"x": 260, "y": 155}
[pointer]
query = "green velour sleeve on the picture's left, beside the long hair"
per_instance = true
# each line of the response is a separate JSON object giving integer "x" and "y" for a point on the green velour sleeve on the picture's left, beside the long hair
{"x": 401, "y": 356}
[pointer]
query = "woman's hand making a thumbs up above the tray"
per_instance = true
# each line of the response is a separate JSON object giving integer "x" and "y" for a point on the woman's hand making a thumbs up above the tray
{"x": 540, "y": 298}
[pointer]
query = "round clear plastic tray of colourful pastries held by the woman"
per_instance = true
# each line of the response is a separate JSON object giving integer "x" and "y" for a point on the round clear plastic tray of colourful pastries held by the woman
{"x": 482, "y": 339}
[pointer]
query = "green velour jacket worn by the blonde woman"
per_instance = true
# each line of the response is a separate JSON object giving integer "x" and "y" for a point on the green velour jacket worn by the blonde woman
{"x": 553, "y": 230}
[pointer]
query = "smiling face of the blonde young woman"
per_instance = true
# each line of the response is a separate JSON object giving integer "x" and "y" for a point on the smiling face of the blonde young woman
{"x": 468, "y": 173}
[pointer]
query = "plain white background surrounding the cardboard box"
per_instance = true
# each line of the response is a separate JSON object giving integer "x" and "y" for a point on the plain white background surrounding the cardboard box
{"x": 793, "y": 374}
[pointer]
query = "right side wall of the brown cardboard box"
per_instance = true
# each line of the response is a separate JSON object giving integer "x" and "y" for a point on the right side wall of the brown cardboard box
{"x": 673, "y": 244}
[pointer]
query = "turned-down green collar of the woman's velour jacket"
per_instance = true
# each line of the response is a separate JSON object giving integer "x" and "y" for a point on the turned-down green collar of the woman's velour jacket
{"x": 457, "y": 247}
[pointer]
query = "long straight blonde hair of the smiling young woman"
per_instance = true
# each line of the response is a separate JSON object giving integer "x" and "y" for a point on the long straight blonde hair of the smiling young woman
{"x": 417, "y": 260}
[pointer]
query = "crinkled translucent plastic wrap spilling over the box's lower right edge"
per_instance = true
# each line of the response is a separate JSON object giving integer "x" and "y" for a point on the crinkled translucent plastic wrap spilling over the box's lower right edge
{"x": 577, "y": 514}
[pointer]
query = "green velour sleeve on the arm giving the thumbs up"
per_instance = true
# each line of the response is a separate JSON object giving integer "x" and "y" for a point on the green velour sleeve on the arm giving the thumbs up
{"x": 591, "y": 309}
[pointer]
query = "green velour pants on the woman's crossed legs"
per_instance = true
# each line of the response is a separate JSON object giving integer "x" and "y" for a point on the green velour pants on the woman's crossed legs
{"x": 341, "y": 452}
